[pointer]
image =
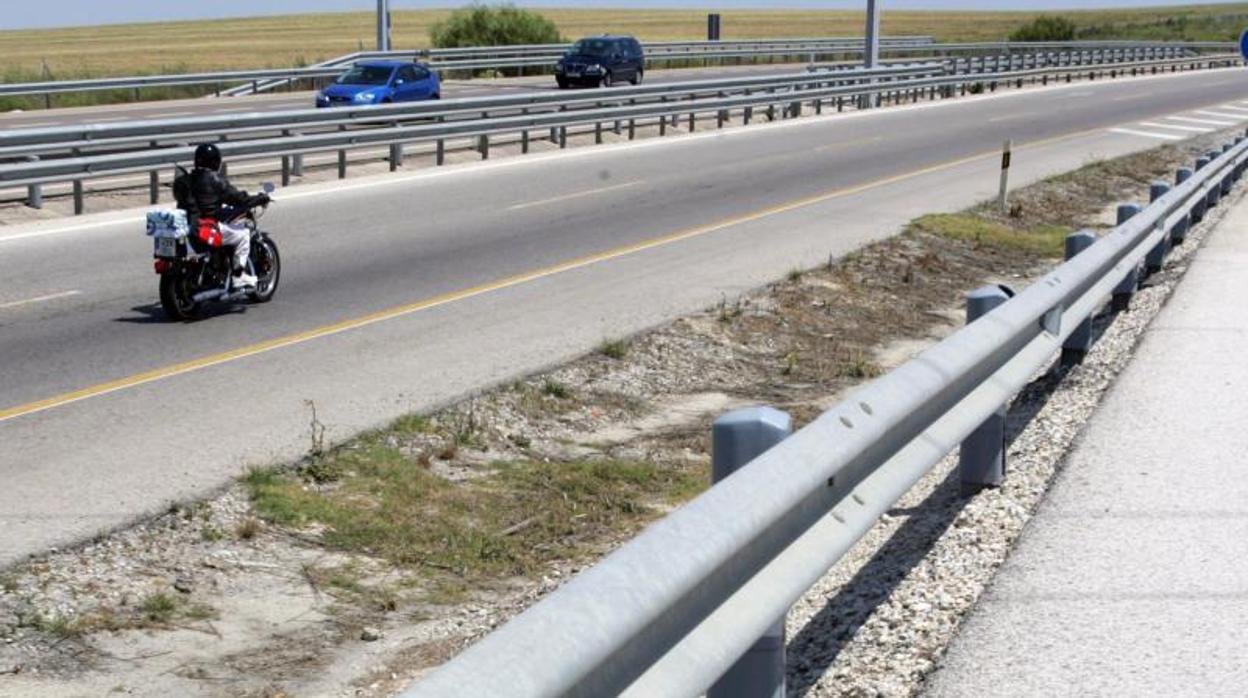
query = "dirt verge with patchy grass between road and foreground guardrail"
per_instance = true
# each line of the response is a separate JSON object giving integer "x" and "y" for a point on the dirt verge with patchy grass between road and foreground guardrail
{"x": 261, "y": 591}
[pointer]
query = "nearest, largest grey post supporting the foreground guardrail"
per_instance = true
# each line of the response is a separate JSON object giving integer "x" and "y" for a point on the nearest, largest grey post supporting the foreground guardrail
{"x": 738, "y": 439}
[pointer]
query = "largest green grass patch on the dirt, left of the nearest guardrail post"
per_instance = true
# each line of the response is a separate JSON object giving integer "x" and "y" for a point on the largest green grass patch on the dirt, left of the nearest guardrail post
{"x": 510, "y": 523}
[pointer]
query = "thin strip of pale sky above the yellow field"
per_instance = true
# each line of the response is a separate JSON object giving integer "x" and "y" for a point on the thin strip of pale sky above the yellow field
{"x": 27, "y": 14}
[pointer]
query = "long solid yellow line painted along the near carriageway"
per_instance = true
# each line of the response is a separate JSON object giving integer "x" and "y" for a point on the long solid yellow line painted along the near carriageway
{"x": 509, "y": 283}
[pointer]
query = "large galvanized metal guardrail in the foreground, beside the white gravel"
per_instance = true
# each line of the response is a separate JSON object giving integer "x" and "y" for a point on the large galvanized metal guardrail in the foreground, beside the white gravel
{"x": 682, "y": 604}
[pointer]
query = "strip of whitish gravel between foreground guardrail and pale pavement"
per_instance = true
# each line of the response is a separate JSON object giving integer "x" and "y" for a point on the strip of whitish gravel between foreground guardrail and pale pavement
{"x": 878, "y": 624}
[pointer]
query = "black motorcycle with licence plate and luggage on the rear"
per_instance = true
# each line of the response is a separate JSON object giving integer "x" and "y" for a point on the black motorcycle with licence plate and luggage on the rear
{"x": 194, "y": 273}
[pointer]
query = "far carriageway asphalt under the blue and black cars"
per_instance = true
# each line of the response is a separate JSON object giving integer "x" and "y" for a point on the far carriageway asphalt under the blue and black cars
{"x": 278, "y": 102}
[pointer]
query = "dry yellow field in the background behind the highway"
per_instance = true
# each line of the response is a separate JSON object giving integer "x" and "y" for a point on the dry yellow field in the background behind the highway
{"x": 305, "y": 39}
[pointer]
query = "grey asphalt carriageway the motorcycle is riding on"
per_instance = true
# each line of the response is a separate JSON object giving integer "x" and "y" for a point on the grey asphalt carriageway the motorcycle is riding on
{"x": 404, "y": 293}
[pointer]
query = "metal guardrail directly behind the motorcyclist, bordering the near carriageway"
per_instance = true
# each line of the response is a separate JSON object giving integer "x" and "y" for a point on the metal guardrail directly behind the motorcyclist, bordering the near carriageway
{"x": 557, "y": 118}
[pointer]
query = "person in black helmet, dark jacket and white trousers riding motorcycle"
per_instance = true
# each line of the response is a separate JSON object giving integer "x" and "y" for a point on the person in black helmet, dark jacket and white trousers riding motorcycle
{"x": 203, "y": 194}
